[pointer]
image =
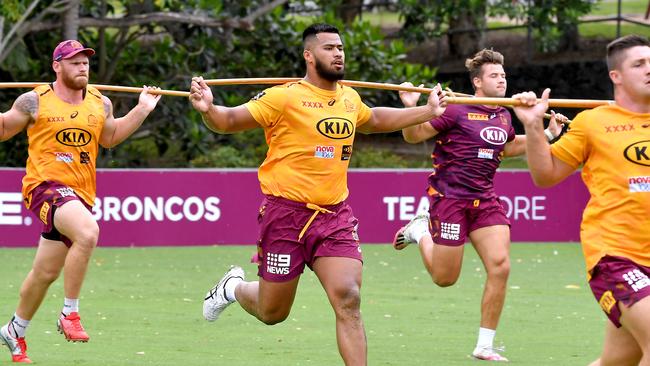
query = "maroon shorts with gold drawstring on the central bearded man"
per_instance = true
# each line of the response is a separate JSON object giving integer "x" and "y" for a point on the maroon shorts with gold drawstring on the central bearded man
{"x": 282, "y": 256}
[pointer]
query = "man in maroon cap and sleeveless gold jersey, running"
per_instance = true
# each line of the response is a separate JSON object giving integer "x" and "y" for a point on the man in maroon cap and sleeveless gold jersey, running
{"x": 66, "y": 121}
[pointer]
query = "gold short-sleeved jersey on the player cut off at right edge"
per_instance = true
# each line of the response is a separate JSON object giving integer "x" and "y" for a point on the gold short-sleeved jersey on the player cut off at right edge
{"x": 614, "y": 146}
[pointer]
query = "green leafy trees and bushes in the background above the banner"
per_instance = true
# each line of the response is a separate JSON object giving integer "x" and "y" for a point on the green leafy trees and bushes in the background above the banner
{"x": 166, "y": 42}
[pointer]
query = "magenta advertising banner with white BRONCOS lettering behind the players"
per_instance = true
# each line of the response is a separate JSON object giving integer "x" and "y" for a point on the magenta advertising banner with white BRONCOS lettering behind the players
{"x": 205, "y": 207}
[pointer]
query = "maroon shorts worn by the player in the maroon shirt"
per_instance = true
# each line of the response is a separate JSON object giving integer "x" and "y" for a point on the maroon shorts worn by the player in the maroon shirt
{"x": 453, "y": 219}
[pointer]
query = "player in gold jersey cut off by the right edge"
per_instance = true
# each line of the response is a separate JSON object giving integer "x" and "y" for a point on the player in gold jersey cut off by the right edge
{"x": 612, "y": 143}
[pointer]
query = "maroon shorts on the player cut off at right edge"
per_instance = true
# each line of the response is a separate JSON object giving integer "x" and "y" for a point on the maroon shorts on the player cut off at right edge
{"x": 615, "y": 279}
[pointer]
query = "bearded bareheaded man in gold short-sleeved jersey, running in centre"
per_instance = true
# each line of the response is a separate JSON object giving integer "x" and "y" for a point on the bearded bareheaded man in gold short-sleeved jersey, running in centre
{"x": 305, "y": 219}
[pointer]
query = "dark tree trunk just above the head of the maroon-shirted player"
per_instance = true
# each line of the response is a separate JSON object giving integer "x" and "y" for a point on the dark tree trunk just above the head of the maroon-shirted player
{"x": 466, "y": 35}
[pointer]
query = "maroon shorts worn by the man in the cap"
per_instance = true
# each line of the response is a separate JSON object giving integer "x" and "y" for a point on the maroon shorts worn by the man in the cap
{"x": 45, "y": 199}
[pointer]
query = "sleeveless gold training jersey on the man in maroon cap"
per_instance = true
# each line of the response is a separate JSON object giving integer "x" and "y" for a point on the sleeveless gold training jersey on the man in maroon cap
{"x": 63, "y": 143}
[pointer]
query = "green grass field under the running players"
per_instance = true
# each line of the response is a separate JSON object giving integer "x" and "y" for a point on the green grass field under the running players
{"x": 142, "y": 306}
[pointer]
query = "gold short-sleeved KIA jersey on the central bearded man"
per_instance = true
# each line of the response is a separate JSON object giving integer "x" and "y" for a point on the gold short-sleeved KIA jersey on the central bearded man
{"x": 309, "y": 132}
